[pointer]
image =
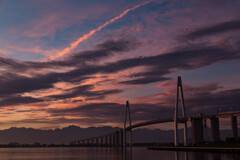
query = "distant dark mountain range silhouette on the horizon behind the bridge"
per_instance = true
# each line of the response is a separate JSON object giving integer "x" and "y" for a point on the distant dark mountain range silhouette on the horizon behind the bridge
{"x": 70, "y": 133}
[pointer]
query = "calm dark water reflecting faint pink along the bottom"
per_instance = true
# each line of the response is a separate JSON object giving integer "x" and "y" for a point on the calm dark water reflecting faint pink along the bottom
{"x": 136, "y": 153}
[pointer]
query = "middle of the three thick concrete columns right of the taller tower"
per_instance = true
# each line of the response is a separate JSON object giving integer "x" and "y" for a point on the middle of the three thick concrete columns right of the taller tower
{"x": 215, "y": 129}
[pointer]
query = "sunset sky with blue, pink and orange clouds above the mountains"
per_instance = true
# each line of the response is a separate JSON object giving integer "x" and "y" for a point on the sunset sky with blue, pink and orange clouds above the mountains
{"x": 67, "y": 62}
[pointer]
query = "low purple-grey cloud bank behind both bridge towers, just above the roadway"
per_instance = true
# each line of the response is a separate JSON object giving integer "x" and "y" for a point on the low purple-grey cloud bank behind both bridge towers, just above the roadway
{"x": 206, "y": 99}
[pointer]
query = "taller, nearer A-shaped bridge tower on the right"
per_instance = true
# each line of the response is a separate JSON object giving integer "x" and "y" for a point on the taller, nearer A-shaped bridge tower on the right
{"x": 179, "y": 87}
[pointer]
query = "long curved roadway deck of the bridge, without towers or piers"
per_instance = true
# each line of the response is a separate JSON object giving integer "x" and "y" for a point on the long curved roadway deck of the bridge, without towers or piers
{"x": 163, "y": 120}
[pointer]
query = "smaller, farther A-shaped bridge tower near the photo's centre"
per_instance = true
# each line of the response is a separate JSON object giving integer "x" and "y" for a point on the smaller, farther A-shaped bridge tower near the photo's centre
{"x": 127, "y": 114}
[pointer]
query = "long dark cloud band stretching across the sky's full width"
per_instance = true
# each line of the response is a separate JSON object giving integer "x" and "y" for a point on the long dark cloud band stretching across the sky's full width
{"x": 158, "y": 67}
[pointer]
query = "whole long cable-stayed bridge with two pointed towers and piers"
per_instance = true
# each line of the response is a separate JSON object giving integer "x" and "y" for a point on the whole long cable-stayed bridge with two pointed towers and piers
{"x": 123, "y": 137}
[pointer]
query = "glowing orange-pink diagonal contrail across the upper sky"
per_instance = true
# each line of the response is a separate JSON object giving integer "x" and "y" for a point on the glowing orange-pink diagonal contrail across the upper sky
{"x": 92, "y": 32}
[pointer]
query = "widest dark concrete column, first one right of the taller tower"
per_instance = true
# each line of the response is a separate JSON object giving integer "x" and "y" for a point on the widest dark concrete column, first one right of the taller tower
{"x": 197, "y": 130}
